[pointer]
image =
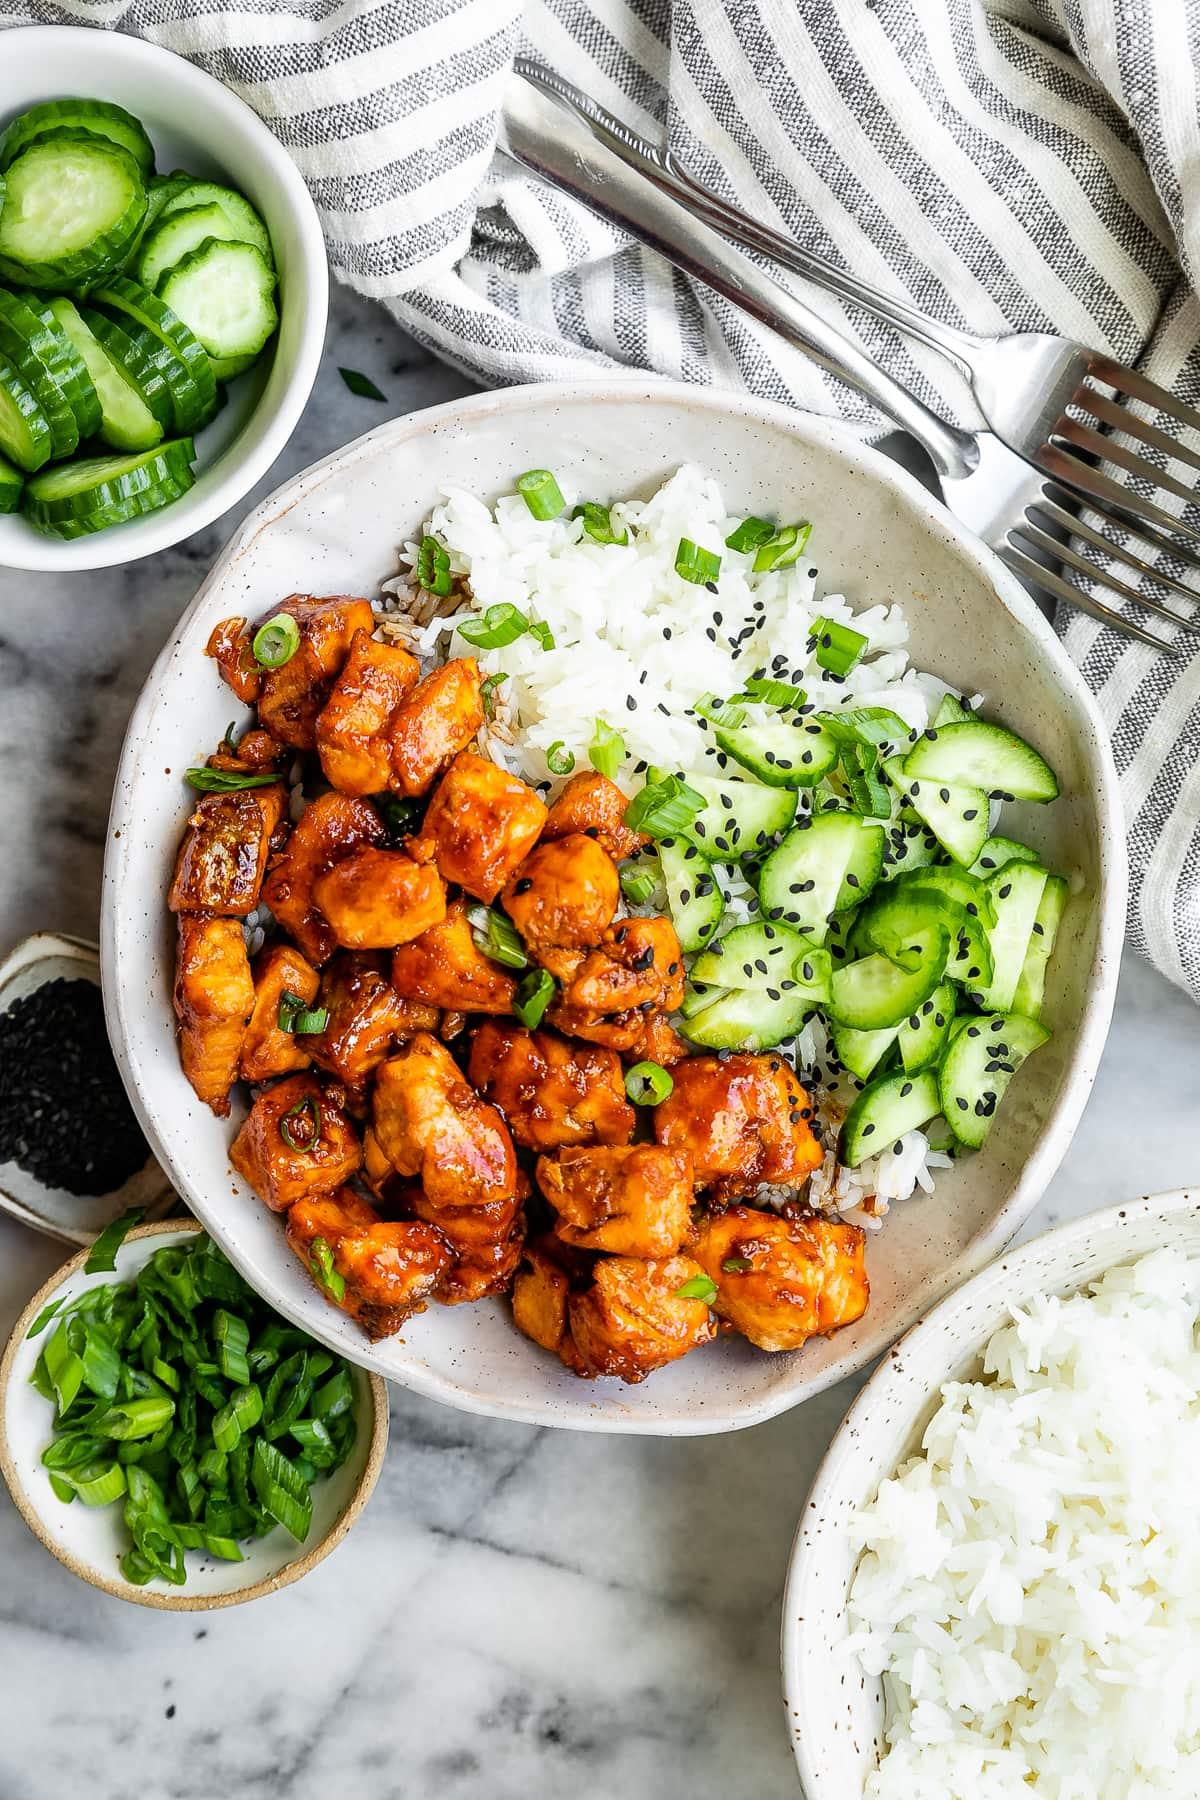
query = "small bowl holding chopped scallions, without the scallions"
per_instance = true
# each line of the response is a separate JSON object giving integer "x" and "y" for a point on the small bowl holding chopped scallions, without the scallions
{"x": 91, "y": 1540}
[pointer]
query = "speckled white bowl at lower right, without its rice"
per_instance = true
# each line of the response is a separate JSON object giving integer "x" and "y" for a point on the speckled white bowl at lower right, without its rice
{"x": 834, "y": 1716}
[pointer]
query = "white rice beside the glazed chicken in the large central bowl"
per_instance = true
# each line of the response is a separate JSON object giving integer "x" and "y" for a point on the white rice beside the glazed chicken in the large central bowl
{"x": 638, "y": 645}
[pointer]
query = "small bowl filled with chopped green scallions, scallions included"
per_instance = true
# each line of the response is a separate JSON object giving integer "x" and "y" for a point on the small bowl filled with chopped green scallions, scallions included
{"x": 170, "y": 1437}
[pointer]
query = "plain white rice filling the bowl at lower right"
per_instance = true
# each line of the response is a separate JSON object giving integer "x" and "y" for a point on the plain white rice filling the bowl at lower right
{"x": 1030, "y": 1585}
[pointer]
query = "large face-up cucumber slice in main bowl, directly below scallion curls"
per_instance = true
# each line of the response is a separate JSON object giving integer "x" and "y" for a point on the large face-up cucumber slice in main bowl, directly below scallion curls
{"x": 825, "y": 865}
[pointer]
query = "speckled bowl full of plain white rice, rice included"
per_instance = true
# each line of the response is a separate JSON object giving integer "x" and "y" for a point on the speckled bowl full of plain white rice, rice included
{"x": 996, "y": 1583}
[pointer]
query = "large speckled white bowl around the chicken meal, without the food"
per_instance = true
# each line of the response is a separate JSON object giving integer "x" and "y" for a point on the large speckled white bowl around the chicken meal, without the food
{"x": 877, "y": 537}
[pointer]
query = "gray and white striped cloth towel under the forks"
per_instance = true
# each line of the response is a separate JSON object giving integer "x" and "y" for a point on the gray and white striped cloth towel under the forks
{"x": 1008, "y": 165}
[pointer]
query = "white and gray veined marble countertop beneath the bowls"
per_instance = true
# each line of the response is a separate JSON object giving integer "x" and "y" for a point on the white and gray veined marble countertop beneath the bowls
{"x": 521, "y": 1612}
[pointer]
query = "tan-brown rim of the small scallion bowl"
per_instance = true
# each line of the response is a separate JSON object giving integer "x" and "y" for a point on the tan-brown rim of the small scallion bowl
{"x": 177, "y": 1601}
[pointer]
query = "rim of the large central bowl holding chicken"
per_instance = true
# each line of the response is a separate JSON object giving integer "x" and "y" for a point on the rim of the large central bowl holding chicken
{"x": 863, "y": 462}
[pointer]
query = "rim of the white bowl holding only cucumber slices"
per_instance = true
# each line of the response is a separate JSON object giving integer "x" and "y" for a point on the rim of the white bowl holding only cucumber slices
{"x": 172, "y": 525}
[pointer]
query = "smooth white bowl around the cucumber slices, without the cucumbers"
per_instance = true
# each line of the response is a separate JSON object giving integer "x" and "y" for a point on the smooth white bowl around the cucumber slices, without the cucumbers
{"x": 201, "y": 127}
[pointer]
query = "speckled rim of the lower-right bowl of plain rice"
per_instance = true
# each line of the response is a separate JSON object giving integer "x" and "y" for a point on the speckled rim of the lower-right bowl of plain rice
{"x": 859, "y": 1423}
